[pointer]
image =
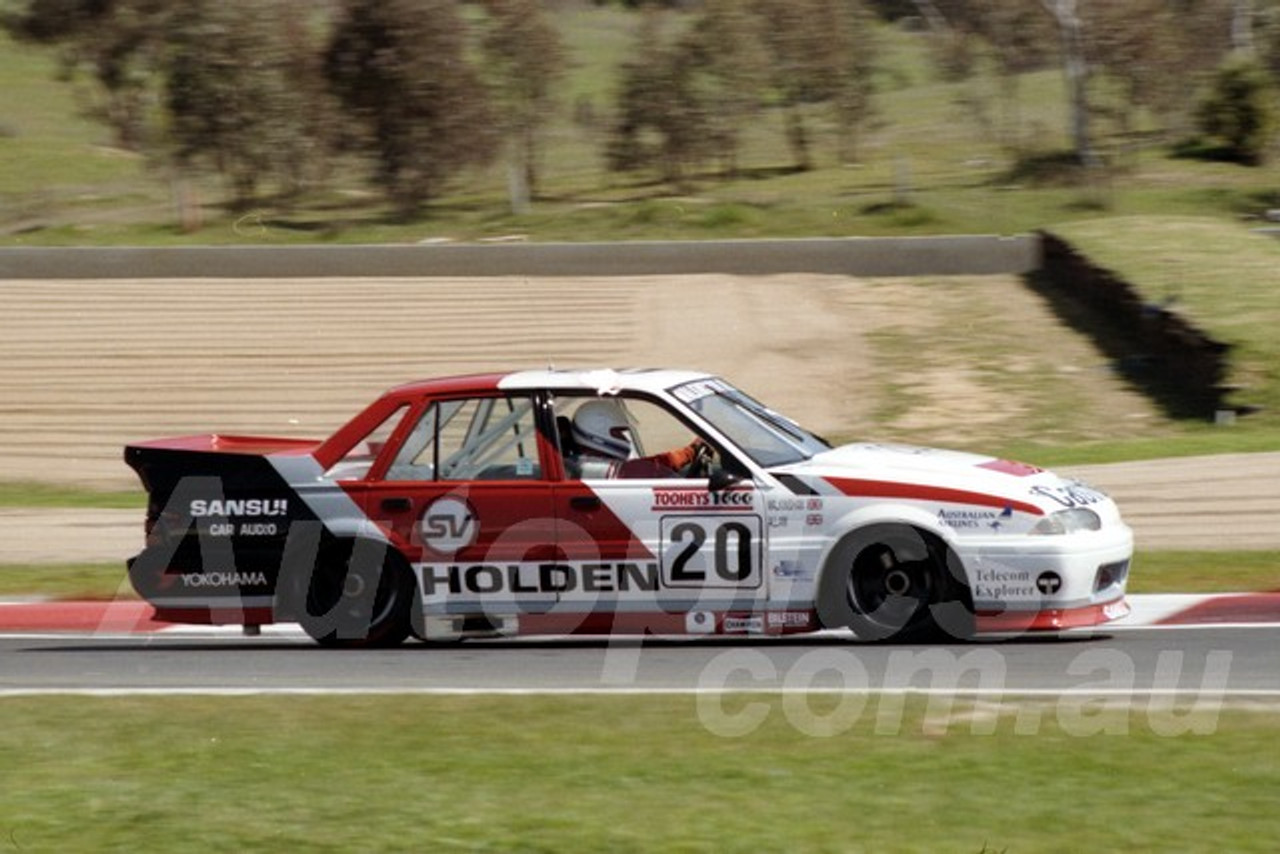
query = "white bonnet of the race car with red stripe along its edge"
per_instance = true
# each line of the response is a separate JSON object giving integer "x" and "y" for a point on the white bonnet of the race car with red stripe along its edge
{"x": 952, "y": 477}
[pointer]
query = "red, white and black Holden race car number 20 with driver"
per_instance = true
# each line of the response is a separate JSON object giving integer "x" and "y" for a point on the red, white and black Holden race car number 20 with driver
{"x": 595, "y": 503}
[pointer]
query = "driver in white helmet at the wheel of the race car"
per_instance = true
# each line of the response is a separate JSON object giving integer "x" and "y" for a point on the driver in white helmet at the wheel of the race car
{"x": 602, "y": 435}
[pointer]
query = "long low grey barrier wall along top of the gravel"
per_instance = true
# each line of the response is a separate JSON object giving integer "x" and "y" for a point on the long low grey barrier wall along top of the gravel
{"x": 895, "y": 257}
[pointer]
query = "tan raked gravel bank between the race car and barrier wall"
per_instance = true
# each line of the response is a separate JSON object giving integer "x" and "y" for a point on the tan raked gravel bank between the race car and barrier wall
{"x": 90, "y": 366}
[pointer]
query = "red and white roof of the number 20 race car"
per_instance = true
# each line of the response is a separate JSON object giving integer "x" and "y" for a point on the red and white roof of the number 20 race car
{"x": 604, "y": 381}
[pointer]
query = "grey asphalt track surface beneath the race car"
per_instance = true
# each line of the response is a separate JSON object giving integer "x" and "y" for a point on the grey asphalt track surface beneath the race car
{"x": 1205, "y": 664}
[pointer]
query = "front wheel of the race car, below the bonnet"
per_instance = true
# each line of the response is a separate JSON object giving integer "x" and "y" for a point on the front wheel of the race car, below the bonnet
{"x": 895, "y": 583}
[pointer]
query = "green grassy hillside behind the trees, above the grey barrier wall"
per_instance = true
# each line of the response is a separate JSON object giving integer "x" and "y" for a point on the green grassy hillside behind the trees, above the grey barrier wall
{"x": 931, "y": 162}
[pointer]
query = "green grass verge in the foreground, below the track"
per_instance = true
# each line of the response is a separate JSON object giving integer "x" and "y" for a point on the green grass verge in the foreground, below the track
{"x": 413, "y": 774}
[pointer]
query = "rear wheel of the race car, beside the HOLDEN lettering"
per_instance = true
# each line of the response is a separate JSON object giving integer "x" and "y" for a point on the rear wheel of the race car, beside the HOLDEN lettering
{"x": 359, "y": 596}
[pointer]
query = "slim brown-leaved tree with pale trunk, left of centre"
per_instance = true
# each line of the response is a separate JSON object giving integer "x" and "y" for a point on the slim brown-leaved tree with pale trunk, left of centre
{"x": 525, "y": 60}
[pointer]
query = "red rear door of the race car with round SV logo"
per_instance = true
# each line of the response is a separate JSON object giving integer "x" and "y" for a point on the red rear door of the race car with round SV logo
{"x": 464, "y": 494}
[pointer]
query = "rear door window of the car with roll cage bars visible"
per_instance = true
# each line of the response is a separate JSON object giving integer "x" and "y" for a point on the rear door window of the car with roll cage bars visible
{"x": 483, "y": 439}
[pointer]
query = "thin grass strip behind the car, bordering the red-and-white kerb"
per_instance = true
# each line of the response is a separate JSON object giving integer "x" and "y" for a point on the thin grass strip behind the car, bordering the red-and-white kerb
{"x": 1155, "y": 572}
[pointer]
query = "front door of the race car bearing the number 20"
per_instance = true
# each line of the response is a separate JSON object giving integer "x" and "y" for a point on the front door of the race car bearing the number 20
{"x": 661, "y": 541}
